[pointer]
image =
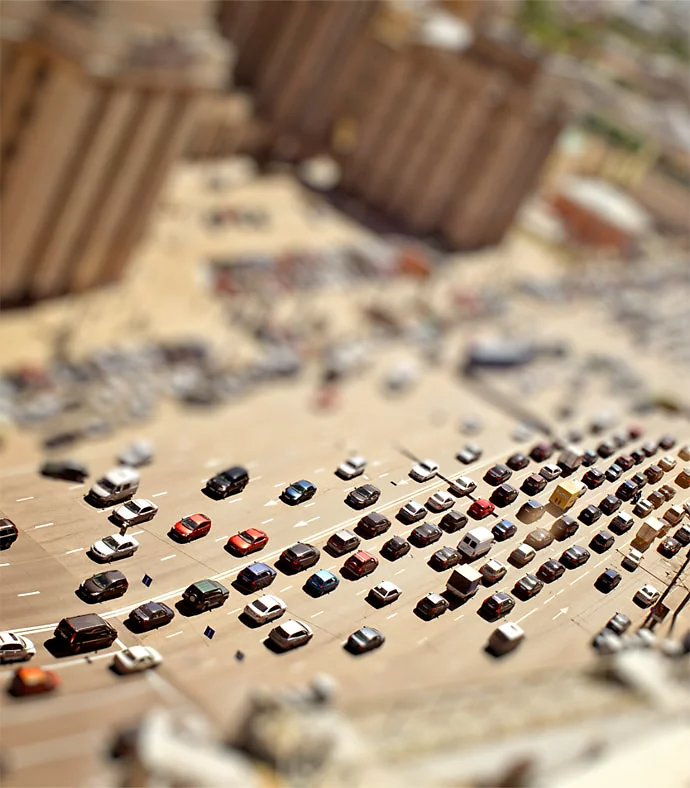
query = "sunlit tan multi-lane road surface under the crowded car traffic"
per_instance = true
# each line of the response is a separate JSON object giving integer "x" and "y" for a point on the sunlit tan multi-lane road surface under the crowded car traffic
{"x": 58, "y": 739}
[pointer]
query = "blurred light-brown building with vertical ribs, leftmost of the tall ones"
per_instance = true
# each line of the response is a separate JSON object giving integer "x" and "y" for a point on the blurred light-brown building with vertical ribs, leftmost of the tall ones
{"x": 98, "y": 99}
